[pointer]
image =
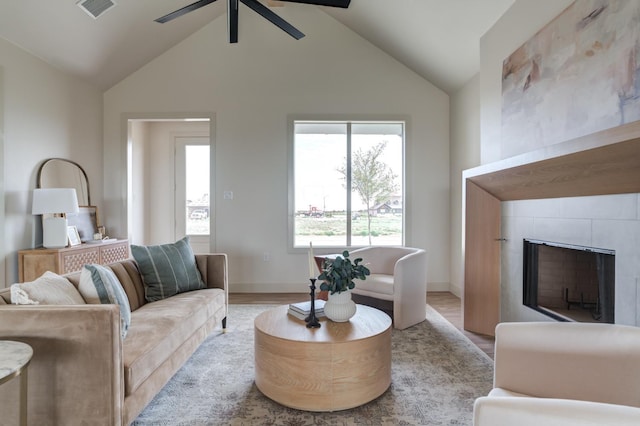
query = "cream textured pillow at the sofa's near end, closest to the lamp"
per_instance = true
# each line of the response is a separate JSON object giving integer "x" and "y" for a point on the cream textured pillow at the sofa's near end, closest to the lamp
{"x": 48, "y": 289}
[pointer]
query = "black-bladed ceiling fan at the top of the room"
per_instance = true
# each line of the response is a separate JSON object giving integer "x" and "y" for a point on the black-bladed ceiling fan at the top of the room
{"x": 255, "y": 5}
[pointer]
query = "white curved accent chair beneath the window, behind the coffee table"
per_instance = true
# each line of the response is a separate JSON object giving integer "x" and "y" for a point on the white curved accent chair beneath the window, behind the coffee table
{"x": 397, "y": 284}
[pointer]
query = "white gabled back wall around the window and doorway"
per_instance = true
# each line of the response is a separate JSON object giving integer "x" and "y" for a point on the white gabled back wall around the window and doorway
{"x": 252, "y": 87}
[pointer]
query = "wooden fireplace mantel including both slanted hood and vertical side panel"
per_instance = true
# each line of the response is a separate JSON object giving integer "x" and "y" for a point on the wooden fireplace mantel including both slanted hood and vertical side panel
{"x": 603, "y": 163}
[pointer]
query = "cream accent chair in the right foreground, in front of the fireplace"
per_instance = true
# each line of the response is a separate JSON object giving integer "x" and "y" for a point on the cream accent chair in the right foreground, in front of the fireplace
{"x": 563, "y": 374}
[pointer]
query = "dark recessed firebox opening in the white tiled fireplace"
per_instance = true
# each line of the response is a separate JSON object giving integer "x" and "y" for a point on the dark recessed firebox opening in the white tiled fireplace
{"x": 568, "y": 282}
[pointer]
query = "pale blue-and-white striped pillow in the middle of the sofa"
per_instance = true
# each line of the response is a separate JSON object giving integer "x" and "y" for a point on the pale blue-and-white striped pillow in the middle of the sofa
{"x": 99, "y": 284}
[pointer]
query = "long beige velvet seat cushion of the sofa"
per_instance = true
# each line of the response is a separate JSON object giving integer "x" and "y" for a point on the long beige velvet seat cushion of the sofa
{"x": 158, "y": 329}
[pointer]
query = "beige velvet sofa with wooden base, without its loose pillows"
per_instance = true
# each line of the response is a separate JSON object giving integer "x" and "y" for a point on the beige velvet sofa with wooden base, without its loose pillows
{"x": 84, "y": 373}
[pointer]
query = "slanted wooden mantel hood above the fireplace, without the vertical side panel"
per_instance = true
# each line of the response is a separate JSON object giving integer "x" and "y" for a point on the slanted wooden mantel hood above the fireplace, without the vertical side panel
{"x": 607, "y": 162}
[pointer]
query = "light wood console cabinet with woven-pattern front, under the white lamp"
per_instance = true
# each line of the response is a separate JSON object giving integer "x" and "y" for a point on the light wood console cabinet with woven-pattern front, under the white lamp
{"x": 33, "y": 263}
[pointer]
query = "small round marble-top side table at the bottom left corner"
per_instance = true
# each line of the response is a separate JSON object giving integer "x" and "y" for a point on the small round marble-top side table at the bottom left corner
{"x": 14, "y": 361}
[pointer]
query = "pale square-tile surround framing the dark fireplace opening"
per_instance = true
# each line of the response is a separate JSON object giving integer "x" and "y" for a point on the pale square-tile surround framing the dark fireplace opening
{"x": 608, "y": 221}
